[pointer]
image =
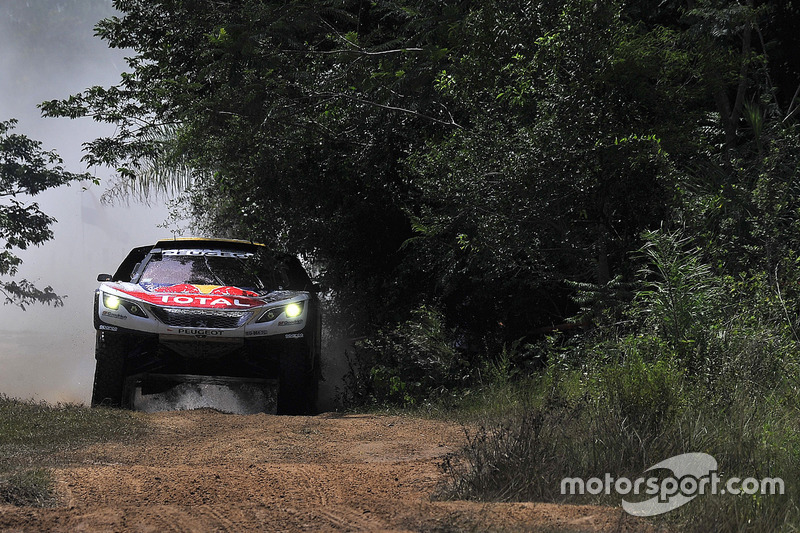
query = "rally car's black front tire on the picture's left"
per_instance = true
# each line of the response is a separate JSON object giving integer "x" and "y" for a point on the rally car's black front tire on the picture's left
{"x": 109, "y": 374}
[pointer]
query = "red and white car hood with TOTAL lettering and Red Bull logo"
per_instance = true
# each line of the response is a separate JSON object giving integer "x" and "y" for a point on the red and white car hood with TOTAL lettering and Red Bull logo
{"x": 200, "y": 296}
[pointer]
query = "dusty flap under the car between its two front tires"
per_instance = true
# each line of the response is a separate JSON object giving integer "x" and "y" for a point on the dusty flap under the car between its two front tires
{"x": 179, "y": 392}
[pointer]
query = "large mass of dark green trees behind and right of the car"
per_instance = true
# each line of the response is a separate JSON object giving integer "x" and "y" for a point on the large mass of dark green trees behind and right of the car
{"x": 502, "y": 162}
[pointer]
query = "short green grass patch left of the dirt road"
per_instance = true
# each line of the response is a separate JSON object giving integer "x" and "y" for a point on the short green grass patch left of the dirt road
{"x": 36, "y": 436}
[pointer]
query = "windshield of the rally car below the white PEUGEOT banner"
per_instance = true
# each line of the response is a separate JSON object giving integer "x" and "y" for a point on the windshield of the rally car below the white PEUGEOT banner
{"x": 215, "y": 267}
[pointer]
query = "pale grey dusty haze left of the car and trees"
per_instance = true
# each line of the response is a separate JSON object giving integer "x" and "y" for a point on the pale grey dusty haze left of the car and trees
{"x": 48, "y": 51}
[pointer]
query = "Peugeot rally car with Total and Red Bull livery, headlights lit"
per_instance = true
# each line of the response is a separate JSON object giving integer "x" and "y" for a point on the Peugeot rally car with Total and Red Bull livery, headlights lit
{"x": 208, "y": 307}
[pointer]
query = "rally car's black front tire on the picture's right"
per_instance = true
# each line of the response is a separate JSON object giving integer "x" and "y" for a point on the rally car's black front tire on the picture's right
{"x": 297, "y": 384}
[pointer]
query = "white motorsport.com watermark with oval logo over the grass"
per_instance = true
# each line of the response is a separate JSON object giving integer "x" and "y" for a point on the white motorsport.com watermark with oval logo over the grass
{"x": 693, "y": 474}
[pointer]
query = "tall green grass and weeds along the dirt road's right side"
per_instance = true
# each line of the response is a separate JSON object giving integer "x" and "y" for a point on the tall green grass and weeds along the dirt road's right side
{"x": 525, "y": 454}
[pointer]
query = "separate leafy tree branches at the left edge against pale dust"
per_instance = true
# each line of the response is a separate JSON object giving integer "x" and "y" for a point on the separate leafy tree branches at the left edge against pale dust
{"x": 25, "y": 171}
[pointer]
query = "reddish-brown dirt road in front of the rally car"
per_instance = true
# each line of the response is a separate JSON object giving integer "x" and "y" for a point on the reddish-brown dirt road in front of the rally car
{"x": 207, "y": 471}
